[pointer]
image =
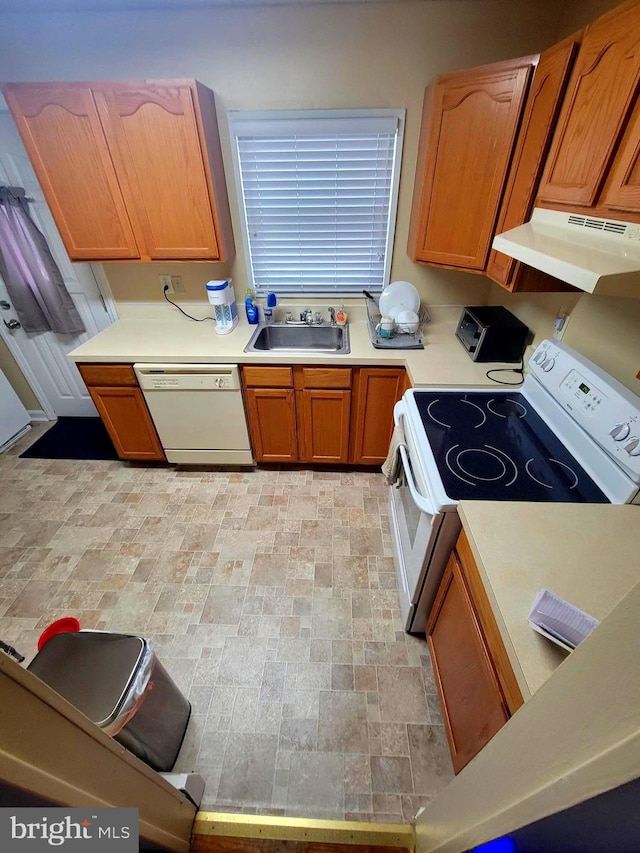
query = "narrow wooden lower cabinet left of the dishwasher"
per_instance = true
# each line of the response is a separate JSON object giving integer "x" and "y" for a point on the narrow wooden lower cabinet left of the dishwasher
{"x": 121, "y": 405}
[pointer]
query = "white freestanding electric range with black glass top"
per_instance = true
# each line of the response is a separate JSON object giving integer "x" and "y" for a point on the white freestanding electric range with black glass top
{"x": 570, "y": 433}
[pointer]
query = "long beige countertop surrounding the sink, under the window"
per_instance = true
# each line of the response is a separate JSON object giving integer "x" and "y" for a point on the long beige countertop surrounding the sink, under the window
{"x": 158, "y": 333}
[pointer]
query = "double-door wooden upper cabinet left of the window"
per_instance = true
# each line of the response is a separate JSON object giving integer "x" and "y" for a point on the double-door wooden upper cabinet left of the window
{"x": 131, "y": 170}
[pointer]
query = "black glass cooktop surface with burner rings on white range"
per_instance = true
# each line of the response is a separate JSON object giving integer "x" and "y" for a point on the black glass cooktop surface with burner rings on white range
{"x": 496, "y": 447}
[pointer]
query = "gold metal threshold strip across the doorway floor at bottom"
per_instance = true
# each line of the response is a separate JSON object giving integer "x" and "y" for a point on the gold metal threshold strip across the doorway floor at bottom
{"x": 396, "y": 835}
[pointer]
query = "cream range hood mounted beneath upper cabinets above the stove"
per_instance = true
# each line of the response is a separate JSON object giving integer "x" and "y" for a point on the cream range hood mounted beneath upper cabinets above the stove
{"x": 595, "y": 255}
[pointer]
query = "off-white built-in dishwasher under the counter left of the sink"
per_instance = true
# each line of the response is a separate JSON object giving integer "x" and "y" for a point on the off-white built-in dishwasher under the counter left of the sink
{"x": 198, "y": 412}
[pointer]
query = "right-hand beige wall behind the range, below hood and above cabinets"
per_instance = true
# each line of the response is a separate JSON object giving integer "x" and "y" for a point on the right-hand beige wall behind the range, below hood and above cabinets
{"x": 605, "y": 330}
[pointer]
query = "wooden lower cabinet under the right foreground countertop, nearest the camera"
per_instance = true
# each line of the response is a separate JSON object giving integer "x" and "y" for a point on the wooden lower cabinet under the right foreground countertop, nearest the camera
{"x": 477, "y": 687}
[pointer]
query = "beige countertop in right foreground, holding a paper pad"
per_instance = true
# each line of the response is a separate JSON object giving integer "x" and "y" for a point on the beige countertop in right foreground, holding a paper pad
{"x": 586, "y": 554}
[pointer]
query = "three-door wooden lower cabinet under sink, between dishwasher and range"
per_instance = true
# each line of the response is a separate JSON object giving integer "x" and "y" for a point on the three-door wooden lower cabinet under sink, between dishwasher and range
{"x": 321, "y": 415}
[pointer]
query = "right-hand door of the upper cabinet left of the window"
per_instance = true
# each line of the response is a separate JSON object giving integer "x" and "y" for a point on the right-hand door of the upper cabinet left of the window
{"x": 153, "y": 136}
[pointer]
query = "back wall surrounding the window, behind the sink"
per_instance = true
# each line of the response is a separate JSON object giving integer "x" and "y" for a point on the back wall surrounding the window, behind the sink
{"x": 286, "y": 57}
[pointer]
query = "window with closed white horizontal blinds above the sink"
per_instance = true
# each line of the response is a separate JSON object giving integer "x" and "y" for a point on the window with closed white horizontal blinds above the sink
{"x": 318, "y": 194}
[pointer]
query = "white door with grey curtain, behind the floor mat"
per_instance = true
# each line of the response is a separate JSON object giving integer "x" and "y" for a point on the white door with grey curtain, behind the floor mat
{"x": 55, "y": 380}
